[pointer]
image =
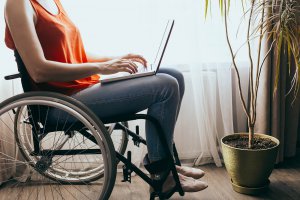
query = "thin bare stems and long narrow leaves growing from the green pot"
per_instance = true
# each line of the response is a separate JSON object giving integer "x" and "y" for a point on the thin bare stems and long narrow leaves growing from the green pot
{"x": 277, "y": 21}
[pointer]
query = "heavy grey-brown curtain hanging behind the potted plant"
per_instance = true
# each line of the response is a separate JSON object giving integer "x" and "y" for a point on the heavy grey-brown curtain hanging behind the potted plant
{"x": 278, "y": 110}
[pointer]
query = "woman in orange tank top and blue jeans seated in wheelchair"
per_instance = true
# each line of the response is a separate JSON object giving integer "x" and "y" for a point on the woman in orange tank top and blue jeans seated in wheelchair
{"x": 49, "y": 45}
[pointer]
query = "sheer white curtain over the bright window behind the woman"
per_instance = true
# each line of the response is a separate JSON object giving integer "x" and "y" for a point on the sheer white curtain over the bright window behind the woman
{"x": 197, "y": 47}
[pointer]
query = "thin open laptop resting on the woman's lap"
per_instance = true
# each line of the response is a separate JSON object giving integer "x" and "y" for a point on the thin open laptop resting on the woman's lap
{"x": 142, "y": 71}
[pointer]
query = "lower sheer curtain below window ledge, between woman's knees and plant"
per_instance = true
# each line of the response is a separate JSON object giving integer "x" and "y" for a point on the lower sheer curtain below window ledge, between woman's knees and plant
{"x": 208, "y": 109}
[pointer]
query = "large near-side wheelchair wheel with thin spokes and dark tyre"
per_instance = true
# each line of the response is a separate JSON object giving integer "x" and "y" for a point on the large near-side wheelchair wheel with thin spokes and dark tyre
{"x": 65, "y": 150}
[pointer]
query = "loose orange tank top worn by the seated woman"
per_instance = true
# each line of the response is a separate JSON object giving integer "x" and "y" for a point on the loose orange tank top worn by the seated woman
{"x": 61, "y": 41}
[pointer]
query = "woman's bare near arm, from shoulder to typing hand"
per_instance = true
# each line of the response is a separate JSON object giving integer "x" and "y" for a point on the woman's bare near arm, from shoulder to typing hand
{"x": 20, "y": 19}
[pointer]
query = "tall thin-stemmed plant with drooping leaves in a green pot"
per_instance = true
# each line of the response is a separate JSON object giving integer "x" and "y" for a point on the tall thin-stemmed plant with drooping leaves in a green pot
{"x": 250, "y": 157}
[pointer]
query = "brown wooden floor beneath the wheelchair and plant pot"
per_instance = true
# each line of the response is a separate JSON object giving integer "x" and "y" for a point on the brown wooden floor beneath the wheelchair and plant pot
{"x": 285, "y": 185}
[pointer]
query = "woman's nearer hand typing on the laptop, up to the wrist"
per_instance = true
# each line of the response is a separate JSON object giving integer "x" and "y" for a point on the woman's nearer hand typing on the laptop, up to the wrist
{"x": 118, "y": 65}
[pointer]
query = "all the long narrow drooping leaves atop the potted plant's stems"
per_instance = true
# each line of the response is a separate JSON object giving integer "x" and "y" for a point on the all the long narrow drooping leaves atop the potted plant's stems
{"x": 280, "y": 25}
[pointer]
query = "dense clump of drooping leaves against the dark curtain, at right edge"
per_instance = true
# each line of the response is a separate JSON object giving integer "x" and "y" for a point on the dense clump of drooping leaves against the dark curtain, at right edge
{"x": 286, "y": 31}
